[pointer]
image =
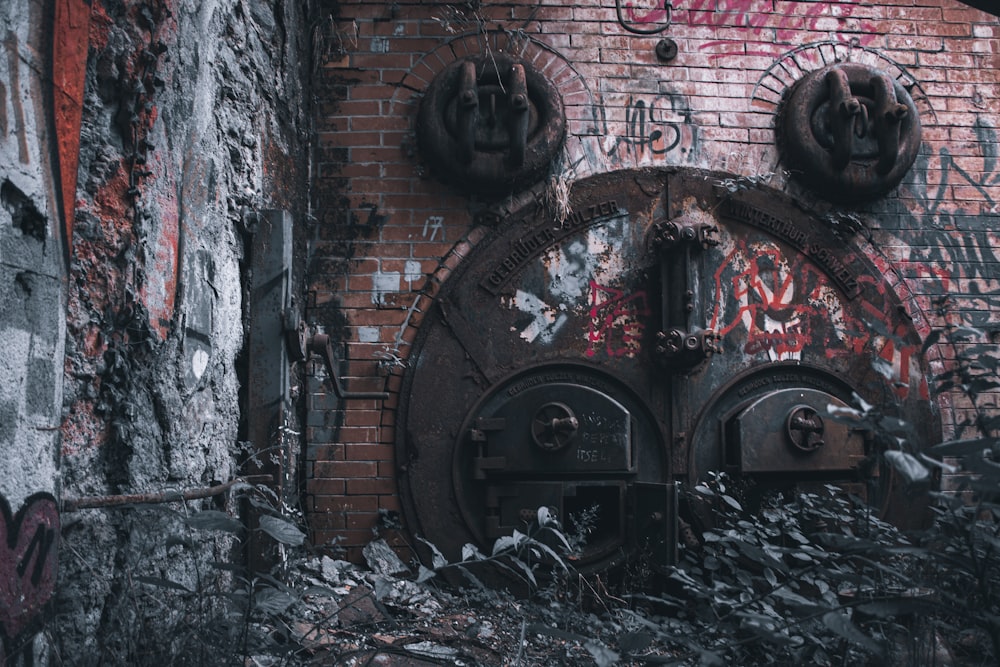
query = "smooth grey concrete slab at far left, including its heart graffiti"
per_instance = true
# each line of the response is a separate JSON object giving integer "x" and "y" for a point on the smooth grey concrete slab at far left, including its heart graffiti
{"x": 32, "y": 319}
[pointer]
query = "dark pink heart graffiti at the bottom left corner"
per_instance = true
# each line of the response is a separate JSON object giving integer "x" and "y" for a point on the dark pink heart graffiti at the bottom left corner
{"x": 28, "y": 558}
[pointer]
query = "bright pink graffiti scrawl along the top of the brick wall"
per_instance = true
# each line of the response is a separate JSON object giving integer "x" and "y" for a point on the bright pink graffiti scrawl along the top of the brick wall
{"x": 761, "y": 28}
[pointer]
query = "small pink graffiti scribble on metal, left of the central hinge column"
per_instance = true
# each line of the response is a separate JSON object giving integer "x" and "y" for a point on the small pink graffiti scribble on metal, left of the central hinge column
{"x": 613, "y": 311}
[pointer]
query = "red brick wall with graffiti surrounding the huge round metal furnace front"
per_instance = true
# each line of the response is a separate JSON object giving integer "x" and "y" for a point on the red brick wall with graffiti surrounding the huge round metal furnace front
{"x": 386, "y": 234}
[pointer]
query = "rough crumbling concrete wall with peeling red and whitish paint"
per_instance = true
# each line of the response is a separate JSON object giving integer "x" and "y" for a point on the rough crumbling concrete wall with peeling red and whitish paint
{"x": 191, "y": 124}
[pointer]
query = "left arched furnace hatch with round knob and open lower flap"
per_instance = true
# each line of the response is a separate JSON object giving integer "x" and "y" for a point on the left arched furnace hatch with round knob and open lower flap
{"x": 566, "y": 436}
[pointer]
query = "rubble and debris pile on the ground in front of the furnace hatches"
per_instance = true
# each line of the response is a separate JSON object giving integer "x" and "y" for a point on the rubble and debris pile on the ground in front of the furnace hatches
{"x": 346, "y": 614}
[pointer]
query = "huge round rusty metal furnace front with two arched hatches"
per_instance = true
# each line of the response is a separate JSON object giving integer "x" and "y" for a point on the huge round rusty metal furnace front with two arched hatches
{"x": 672, "y": 323}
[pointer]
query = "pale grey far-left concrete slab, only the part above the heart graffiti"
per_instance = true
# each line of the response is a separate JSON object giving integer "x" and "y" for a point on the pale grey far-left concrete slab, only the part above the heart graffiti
{"x": 31, "y": 260}
